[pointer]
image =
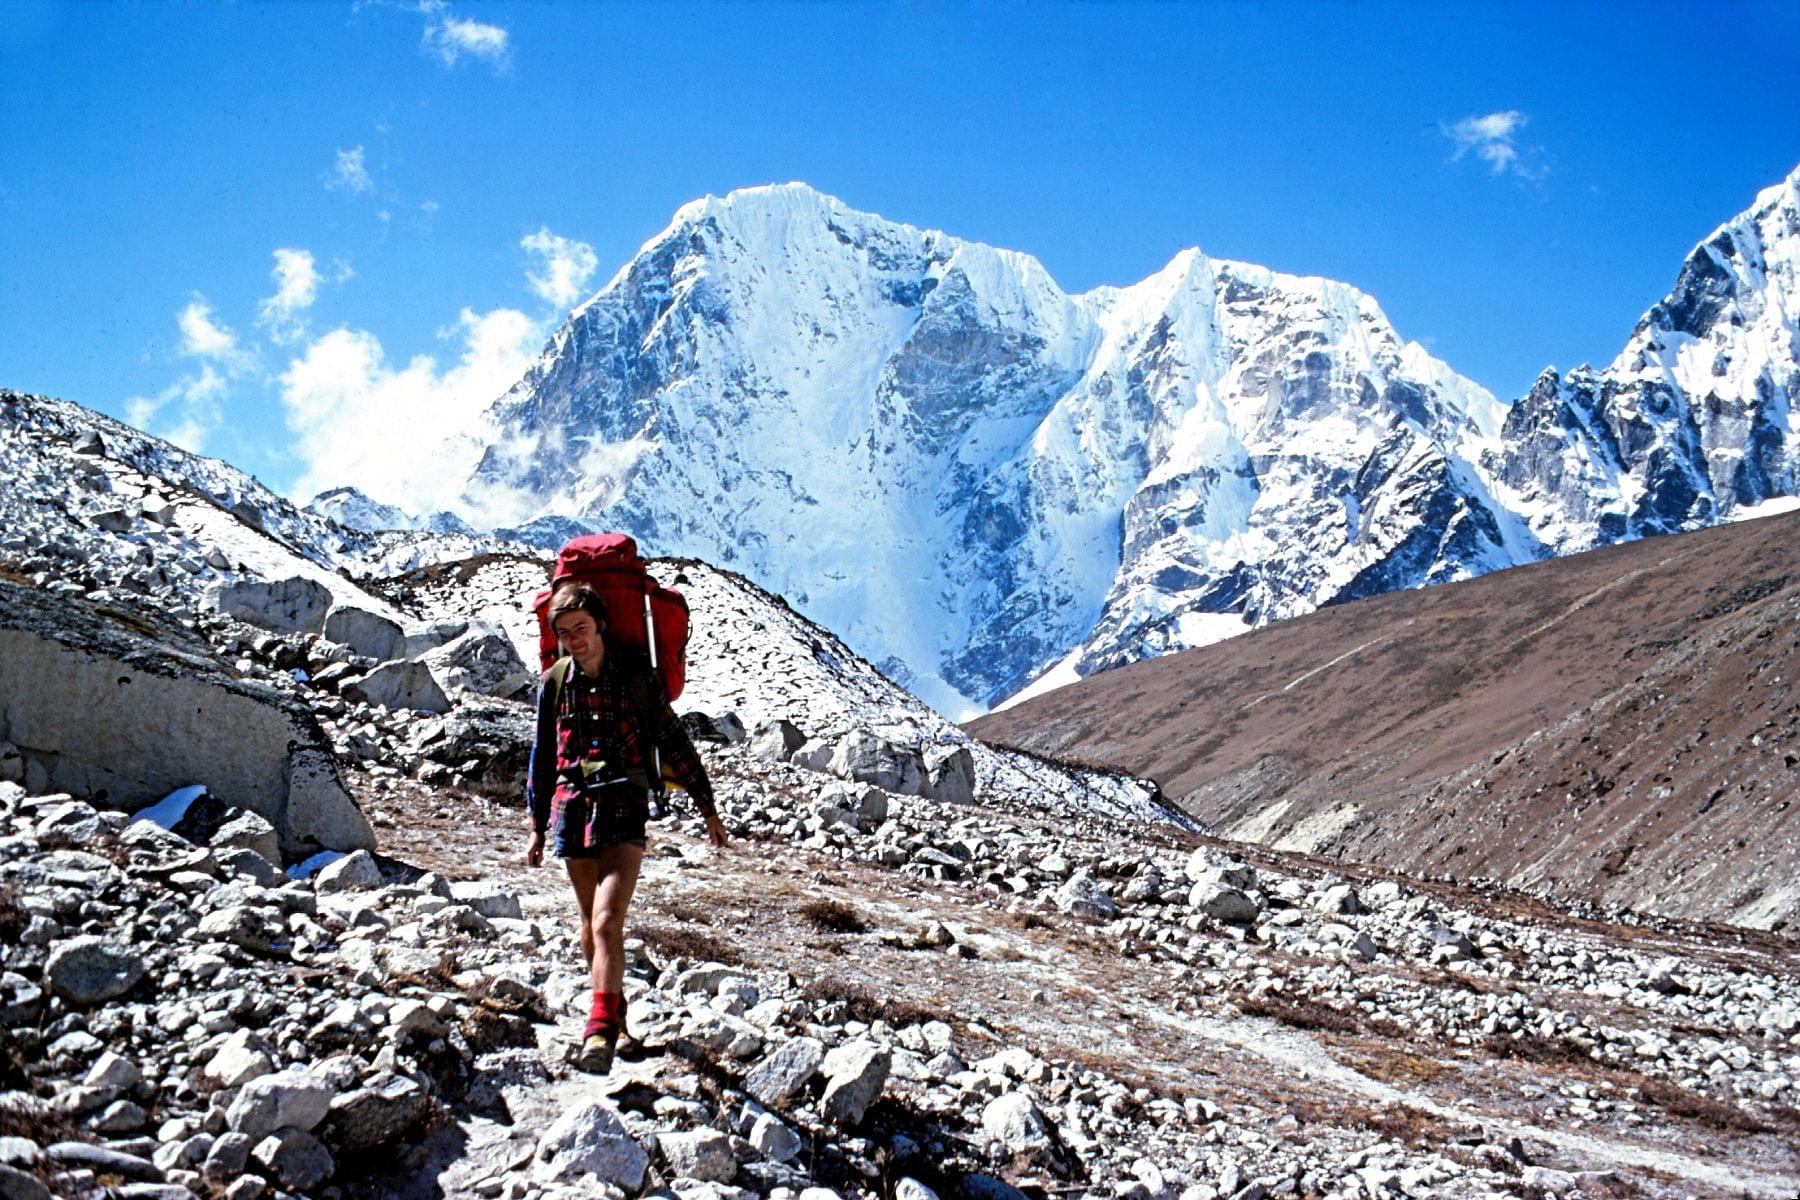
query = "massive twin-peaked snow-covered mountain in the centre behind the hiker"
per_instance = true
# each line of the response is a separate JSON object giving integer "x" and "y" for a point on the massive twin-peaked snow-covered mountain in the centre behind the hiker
{"x": 969, "y": 474}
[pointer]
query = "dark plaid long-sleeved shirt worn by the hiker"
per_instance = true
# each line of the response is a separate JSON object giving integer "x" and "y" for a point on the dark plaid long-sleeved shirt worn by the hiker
{"x": 602, "y": 712}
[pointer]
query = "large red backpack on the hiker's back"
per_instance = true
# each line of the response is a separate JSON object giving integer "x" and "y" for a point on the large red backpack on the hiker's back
{"x": 642, "y": 614}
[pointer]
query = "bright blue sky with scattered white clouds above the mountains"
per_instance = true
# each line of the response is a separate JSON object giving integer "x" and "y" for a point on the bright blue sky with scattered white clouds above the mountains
{"x": 255, "y": 228}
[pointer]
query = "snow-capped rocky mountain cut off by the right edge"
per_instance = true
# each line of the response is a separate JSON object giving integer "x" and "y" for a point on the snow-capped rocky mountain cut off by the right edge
{"x": 1695, "y": 418}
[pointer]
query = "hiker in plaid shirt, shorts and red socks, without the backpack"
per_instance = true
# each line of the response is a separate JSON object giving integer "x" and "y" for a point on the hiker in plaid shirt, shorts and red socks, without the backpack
{"x": 606, "y": 730}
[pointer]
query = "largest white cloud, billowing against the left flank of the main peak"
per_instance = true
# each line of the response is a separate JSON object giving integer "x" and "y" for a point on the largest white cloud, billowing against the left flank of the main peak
{"x": 404, "y": 434}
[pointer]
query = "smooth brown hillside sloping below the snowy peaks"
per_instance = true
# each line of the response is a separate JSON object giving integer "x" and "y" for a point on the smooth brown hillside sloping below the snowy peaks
{"x": 1617, "y": 726}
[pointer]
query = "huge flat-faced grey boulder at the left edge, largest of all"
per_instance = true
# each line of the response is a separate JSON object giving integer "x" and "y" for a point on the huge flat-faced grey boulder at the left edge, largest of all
{"x": 132, "y": 708}
